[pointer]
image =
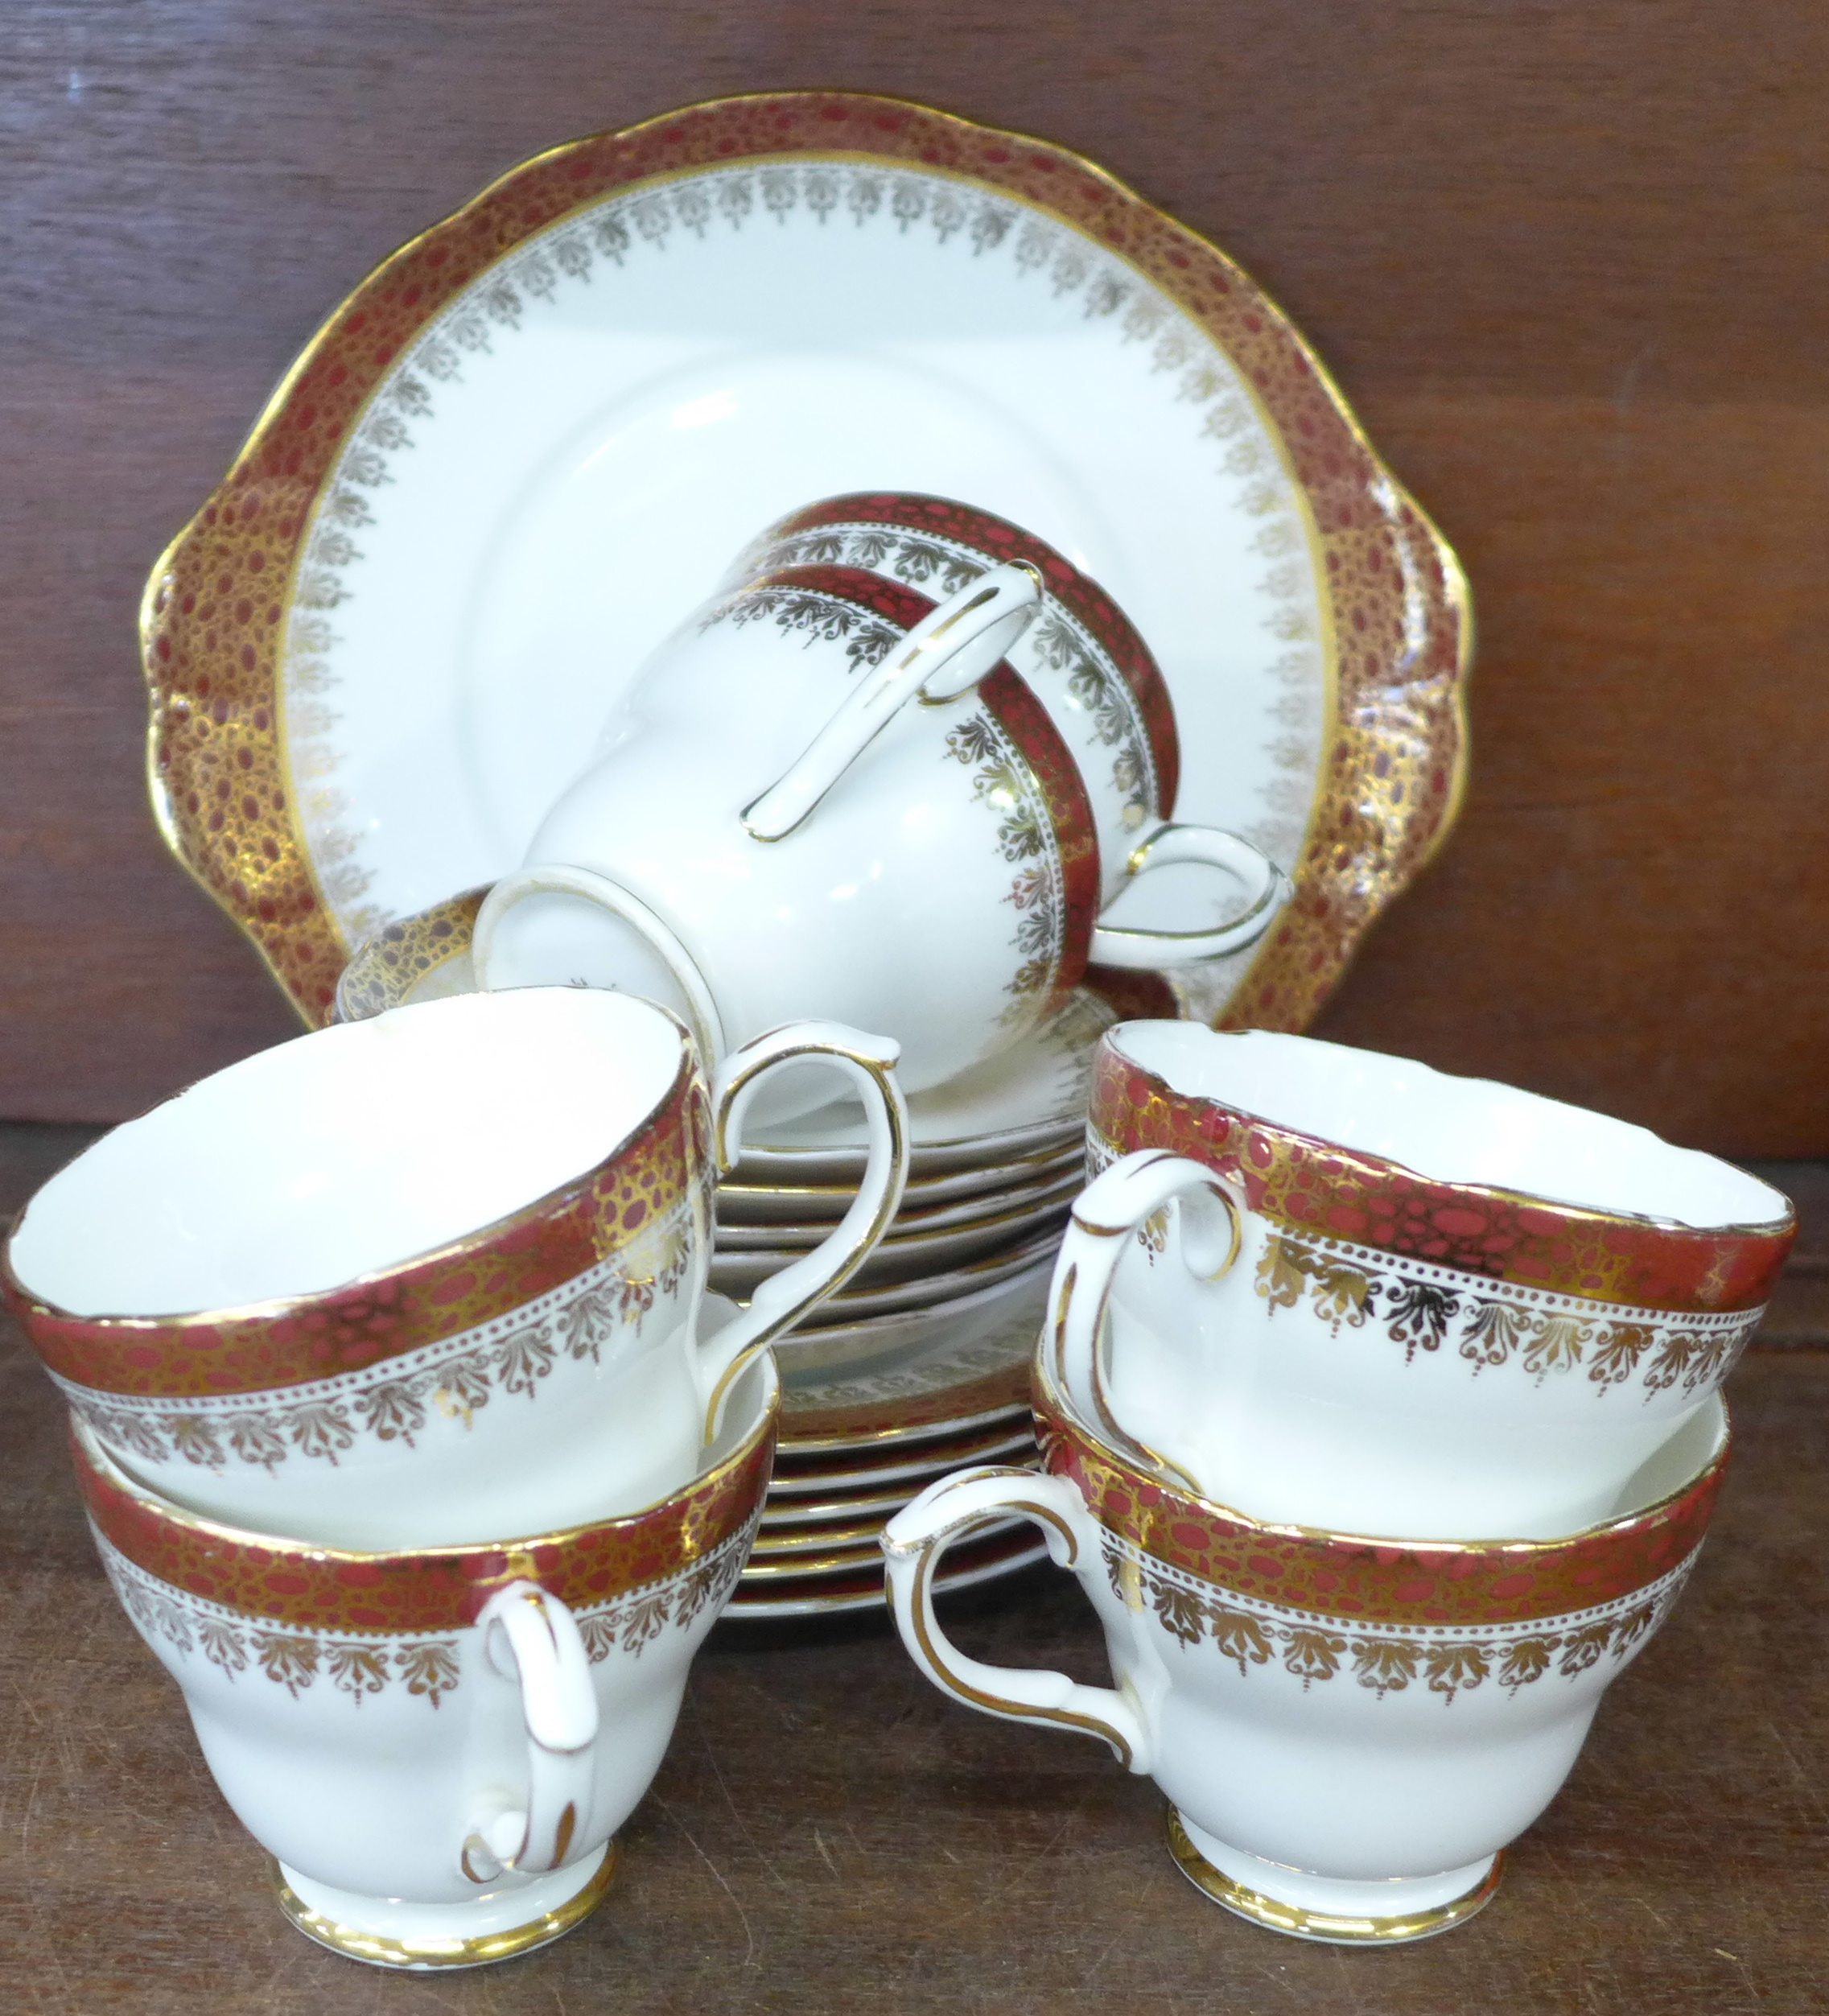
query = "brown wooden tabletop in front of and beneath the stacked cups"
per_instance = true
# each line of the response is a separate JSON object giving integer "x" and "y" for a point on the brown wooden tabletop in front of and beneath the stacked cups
{"x": 828, "y": 1834}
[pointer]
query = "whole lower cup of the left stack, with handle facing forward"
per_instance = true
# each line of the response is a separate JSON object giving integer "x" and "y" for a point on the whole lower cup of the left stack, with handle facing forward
{"x": 439, "y": 1745}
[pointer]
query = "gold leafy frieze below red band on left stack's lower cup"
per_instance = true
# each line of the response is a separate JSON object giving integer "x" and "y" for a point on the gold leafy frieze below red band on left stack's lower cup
{"x": 418, "y": 1666}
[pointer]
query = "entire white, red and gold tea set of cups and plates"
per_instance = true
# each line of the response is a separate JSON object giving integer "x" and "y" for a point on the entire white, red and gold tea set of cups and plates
{"x": 777, "y": 1186}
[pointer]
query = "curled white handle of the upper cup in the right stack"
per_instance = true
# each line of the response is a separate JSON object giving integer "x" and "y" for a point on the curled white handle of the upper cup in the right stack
{"x": 1098, "y": 1237}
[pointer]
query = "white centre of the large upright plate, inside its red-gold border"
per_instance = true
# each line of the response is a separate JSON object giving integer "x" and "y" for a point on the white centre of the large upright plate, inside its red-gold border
{"x": 568, "y": 487}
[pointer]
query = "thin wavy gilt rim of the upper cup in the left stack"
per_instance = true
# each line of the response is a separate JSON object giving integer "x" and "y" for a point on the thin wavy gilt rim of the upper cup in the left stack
{"x": 283, "y": 1307}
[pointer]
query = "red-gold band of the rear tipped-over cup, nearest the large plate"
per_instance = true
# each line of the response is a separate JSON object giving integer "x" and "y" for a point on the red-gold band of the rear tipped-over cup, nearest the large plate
{"x": 1001, "y": 541}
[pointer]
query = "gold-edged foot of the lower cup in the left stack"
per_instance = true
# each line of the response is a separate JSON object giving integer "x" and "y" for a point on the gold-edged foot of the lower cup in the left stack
{"x": 435, "y": 1938}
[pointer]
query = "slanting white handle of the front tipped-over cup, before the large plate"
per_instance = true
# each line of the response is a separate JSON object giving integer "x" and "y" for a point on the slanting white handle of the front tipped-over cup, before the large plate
{"x": 947, "y": 654}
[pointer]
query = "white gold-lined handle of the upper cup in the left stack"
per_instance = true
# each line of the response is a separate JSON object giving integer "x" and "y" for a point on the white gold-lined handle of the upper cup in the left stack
{"x": 783, "y": 1299}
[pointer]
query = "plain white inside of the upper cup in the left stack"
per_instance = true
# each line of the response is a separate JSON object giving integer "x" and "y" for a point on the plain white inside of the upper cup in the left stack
{"x": 346, "y": 1152}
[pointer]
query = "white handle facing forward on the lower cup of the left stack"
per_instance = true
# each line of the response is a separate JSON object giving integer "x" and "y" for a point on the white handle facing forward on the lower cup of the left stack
{"x": 531, "y": 1638}
